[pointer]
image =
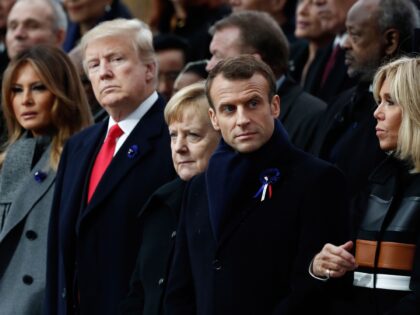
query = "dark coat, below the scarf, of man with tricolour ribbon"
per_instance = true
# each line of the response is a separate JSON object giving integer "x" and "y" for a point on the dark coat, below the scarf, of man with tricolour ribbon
{"x": 259, "y": 264}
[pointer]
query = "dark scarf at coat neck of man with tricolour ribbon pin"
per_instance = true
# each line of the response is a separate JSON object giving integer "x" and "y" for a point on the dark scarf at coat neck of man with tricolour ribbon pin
{"x": 231, "y": 177}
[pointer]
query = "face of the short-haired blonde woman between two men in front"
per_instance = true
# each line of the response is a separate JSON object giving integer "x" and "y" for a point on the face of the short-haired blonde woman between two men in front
{"x": 193, "y": 140}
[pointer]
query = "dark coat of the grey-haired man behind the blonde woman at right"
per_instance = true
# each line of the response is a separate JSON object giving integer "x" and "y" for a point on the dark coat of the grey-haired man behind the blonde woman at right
{"x": 346, "y": 136}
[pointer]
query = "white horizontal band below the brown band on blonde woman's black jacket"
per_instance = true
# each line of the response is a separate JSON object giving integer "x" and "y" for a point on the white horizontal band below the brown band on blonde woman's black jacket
{"x": 383, "y": 281}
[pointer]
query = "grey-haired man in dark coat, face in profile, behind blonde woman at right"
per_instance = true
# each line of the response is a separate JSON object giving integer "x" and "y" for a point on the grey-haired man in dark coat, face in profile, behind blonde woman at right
{"x": 346, "y": 134}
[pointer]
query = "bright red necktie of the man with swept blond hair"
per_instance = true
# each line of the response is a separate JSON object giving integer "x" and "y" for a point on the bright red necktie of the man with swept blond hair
{"x": 104, "y": 157}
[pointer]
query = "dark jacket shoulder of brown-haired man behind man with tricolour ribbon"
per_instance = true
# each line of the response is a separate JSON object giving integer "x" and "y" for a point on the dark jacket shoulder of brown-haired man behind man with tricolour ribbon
{"x": 297, "y": 112}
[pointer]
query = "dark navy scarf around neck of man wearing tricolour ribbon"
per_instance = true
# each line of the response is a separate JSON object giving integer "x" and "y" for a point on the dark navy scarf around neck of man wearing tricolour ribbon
{"x": 233, "y": 178}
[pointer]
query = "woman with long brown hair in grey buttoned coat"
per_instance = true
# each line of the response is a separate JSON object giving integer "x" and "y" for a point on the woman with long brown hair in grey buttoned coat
{"x": 43, "y": 105}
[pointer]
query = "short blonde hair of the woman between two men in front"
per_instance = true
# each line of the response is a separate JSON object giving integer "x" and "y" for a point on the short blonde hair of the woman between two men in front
{"x": 190, "y": 97}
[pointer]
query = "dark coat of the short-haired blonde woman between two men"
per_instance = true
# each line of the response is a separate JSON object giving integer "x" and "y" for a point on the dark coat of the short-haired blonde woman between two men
{"x": 159, "y": 219}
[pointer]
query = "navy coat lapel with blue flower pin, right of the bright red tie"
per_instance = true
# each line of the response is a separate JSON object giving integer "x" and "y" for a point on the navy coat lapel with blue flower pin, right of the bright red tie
{"x": 139, "y": 143}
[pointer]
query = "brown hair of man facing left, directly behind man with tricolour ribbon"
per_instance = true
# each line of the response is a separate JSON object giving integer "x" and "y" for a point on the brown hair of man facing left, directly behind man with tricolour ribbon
{"x": 259, "y": 33}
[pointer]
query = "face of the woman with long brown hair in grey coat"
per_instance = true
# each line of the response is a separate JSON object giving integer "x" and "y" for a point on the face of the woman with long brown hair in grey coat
{"x": 31, "y": 101}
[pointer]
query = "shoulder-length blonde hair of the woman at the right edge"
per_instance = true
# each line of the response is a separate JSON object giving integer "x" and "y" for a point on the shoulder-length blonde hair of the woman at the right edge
{"x": 403, "y": 77}
